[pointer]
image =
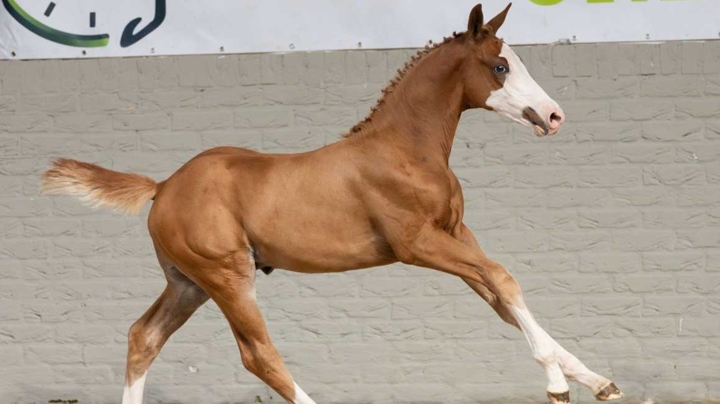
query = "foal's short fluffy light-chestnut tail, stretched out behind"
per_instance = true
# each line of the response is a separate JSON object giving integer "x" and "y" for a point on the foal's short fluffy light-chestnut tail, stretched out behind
{"x": 97, "y": 186}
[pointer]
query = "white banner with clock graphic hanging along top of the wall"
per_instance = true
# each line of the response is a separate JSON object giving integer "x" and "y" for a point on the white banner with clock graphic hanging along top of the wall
{"x": 95, "y": 28}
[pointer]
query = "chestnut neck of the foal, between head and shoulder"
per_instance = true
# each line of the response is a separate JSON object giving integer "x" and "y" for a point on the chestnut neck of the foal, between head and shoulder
{"x": 422, "y": 112}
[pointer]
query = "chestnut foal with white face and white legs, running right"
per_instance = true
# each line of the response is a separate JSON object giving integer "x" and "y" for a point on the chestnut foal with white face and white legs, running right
{"x": 384, "y": 194}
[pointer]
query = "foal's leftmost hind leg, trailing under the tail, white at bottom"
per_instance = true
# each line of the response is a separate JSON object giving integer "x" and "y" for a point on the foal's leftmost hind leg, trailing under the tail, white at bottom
{"x": 180, "y": 299}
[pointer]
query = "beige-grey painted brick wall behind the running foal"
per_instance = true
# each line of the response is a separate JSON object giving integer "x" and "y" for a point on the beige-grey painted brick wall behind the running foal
{"x": 612, "y": 227}
